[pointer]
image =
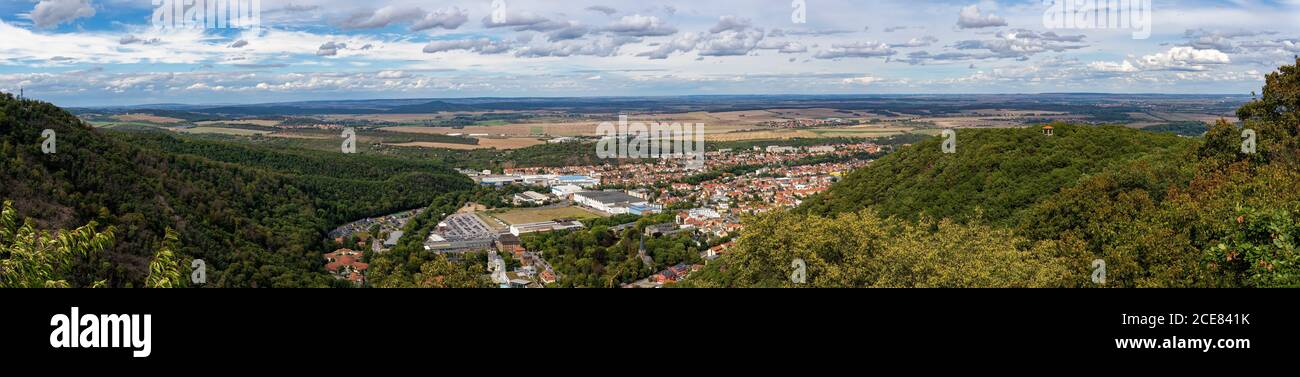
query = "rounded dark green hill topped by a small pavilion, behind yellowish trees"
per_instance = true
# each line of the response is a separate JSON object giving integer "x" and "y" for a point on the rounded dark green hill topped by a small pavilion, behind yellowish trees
{"x": 994, "y": 174}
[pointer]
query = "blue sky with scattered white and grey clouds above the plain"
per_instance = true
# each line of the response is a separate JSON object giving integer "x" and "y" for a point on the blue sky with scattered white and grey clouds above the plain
{"x": 109, "y": 53}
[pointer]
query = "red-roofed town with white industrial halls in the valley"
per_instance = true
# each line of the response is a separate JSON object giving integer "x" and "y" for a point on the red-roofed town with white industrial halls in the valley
{"x": 709, "y": 205}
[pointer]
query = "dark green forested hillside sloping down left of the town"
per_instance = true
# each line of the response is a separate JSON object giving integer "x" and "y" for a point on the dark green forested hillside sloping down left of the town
{"x": 255, "y": 216}
